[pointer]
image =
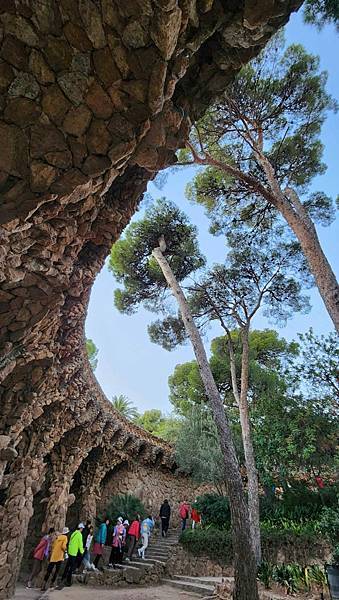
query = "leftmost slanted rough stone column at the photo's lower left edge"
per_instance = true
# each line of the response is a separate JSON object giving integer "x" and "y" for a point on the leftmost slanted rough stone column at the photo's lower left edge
{"x": 14, "y": 517}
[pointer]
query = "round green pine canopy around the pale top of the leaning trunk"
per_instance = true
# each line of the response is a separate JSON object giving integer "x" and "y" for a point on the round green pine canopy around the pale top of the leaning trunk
{"x": 133, "y": 266}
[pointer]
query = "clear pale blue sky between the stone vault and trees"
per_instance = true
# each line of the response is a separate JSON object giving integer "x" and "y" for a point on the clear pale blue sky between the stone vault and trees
{"x": 128, "y": 362}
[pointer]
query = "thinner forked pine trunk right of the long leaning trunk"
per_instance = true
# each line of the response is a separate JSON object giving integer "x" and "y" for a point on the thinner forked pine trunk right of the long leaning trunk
{"x": 242, "y": 401}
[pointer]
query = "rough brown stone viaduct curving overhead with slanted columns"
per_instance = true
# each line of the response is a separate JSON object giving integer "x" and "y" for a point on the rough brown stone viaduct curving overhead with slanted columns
{"x": 96, "y": 97}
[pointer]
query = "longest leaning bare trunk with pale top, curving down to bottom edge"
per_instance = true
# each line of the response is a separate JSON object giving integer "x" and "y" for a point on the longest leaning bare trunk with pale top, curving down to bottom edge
{"x": 245, "y": 585}
